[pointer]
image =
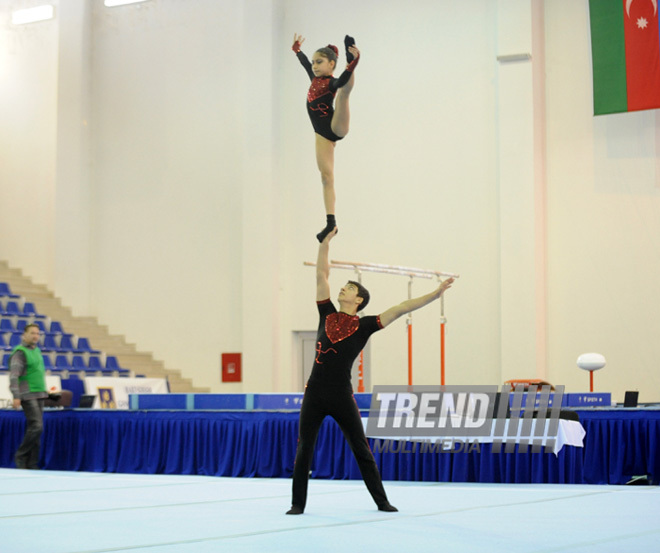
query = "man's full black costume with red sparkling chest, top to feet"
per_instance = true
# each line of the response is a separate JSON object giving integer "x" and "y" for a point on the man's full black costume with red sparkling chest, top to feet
{"x": 340, "y": 339}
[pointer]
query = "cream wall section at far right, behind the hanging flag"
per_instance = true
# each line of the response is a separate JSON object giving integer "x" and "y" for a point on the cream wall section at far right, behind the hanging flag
{"x": 603, "y": 223}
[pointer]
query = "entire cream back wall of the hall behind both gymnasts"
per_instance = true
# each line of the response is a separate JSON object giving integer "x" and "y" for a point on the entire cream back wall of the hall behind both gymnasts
{"x": 204, "y": 196}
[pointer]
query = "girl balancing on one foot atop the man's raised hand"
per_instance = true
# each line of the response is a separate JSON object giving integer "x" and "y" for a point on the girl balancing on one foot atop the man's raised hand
{"x": 330, "y": 124}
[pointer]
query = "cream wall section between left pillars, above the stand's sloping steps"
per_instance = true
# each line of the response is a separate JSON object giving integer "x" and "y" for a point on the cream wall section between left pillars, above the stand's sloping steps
{"x": 167, "y": 179}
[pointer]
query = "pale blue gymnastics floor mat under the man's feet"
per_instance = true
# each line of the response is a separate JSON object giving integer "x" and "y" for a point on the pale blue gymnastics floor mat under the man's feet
{"x": 69, "y": 512}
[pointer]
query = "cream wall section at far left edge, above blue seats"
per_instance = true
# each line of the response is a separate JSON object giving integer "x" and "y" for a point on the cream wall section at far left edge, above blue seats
{"x": 28, "y": 130}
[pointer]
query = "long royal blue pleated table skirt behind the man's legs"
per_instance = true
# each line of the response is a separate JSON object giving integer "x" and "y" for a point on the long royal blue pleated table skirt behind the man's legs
{"x": 259, "y": 444}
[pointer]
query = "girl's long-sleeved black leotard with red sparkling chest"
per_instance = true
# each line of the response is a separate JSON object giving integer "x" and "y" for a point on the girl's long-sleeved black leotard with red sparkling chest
{"x": 321, "y": 95}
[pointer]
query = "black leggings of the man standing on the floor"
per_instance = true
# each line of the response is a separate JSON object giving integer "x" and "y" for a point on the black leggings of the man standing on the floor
{"x": 318, "y": 402}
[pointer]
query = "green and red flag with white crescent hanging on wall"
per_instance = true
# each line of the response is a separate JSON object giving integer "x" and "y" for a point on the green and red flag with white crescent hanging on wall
{"x": 625, "y": 49}
